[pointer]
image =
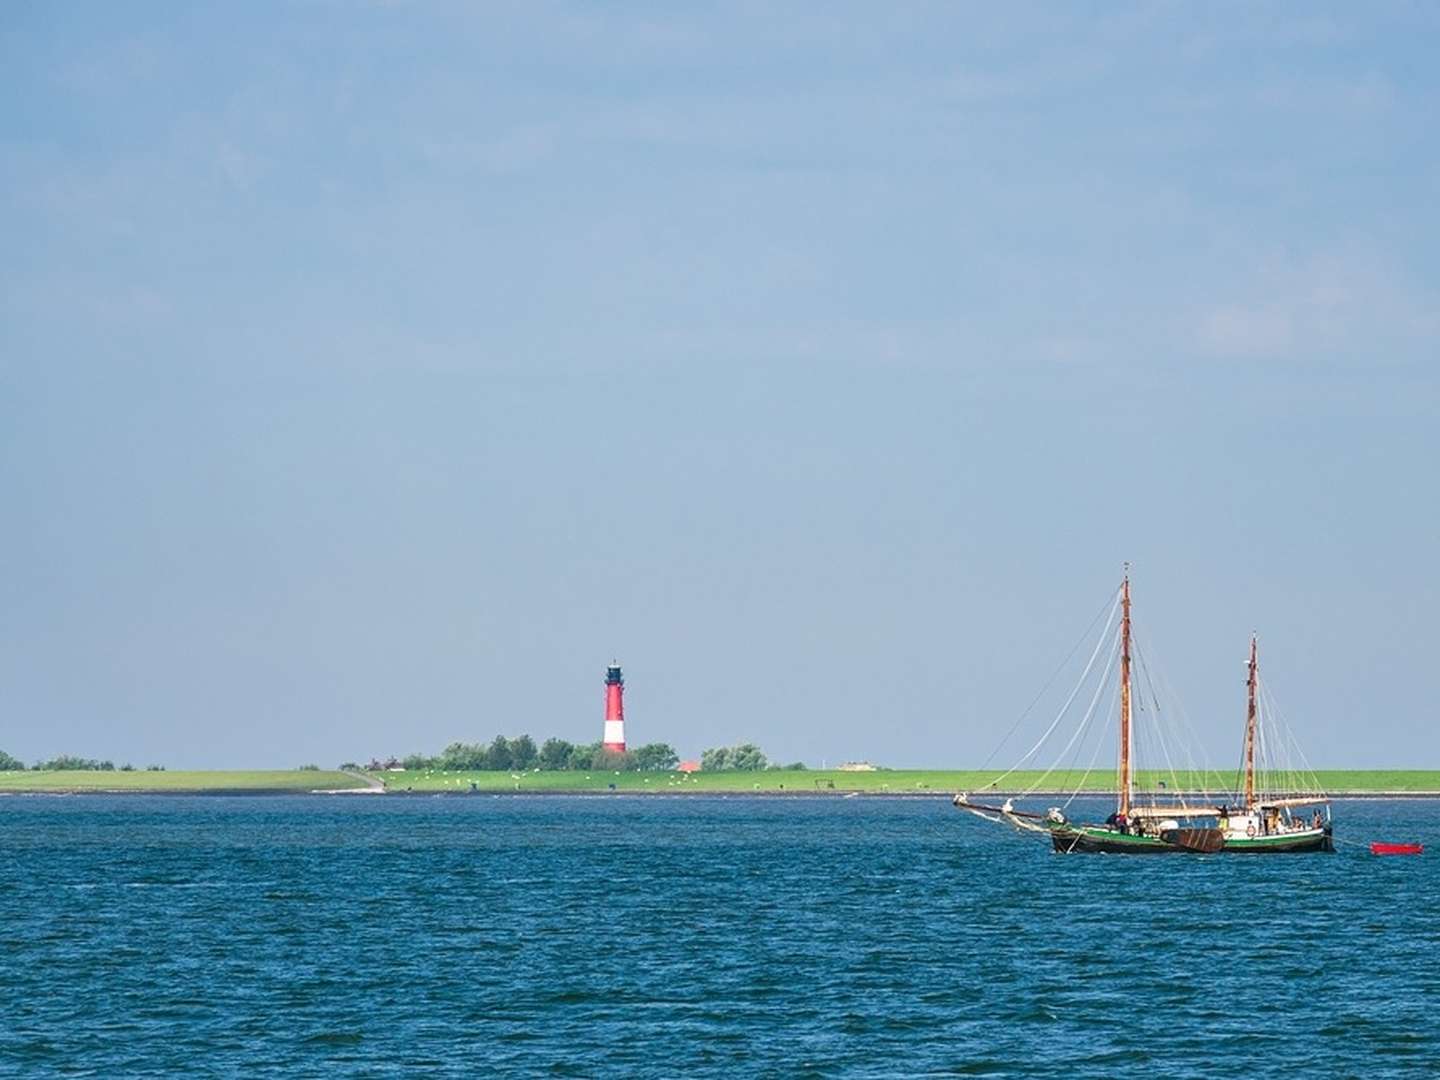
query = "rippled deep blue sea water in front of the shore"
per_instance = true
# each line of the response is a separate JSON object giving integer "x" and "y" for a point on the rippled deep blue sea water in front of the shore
{"x": 667, "y": 937}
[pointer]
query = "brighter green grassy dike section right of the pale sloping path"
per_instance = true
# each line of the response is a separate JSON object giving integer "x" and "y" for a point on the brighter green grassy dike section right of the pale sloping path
{"x": 879, "y": 783}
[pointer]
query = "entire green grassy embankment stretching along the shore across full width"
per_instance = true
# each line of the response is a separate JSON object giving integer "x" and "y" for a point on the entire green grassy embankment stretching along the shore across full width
{"x": 832, "y": 781}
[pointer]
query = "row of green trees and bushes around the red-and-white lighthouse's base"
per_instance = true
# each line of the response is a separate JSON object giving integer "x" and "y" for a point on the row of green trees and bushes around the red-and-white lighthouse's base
{"x": 521, "y": 754}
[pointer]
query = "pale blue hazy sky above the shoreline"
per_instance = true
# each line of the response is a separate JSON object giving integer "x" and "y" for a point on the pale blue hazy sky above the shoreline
{"x": 374, "y": 375}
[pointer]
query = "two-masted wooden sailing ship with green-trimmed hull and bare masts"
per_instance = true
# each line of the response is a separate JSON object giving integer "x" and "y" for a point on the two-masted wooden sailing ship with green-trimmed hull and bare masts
{"x": 1277, "y": 809}
